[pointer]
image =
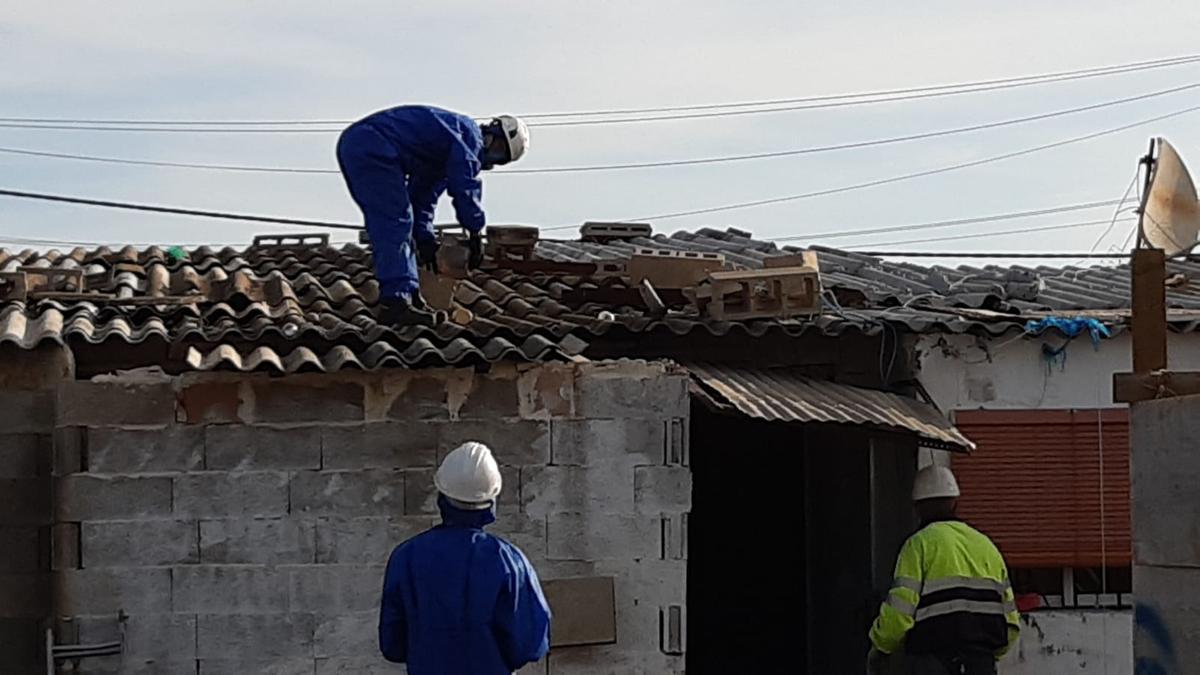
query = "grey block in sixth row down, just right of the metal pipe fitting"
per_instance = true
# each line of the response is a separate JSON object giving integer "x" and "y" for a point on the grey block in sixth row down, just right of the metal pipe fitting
{"x": 254, "y": 637}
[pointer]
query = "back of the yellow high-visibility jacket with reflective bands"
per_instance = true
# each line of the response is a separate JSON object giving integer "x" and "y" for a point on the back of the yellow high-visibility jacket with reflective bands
{"x": 964, "y": 595}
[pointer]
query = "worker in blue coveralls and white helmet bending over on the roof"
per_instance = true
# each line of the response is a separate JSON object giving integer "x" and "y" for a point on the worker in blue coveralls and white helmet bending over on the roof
{"x": 397, "y": 165}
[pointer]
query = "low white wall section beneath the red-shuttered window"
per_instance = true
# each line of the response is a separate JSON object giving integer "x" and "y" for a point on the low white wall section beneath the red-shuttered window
{"x": 1079, "y": 642}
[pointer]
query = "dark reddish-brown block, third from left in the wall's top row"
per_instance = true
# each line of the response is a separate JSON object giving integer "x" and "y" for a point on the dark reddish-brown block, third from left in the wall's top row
{"x": 308, "y": 401}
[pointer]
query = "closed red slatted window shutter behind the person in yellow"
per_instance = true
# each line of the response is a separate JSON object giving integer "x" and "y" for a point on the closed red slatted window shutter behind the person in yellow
{"x": 1034, "y": 485}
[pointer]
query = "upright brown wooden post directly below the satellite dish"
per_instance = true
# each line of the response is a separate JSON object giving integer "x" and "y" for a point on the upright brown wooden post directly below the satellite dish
{"x": 1149, "y": 310}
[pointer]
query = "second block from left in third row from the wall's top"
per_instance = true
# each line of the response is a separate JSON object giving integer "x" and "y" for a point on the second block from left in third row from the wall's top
{"x": 225, "y": 495}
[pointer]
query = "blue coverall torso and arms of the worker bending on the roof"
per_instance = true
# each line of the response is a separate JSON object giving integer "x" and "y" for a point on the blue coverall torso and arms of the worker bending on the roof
{"x": 442, "y": 152}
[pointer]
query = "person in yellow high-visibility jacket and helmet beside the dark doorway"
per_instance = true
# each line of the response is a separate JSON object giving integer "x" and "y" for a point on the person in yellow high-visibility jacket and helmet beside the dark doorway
{"x": 951, "y": 610}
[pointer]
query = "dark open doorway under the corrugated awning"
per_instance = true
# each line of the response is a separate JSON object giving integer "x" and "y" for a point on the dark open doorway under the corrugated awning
{"x": 793, "y": 535}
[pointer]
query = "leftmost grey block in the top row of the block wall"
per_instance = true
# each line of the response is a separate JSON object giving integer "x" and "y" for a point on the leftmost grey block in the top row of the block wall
{"x": 107, "y": 404}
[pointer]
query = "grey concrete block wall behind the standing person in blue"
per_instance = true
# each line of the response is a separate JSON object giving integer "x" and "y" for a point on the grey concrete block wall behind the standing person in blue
{"x": 243, "y": 523}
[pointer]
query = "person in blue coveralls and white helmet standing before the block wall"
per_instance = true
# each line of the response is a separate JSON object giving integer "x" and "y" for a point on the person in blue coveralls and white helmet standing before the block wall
{"x": 458, "y": 601}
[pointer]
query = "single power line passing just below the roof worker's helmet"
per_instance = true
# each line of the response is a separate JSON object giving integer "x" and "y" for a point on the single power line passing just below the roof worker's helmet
{"x": 634, "y": 165}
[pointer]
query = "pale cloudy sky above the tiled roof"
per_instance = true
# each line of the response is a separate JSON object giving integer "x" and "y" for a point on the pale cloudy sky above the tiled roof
{"x": 323, "y": 61}
